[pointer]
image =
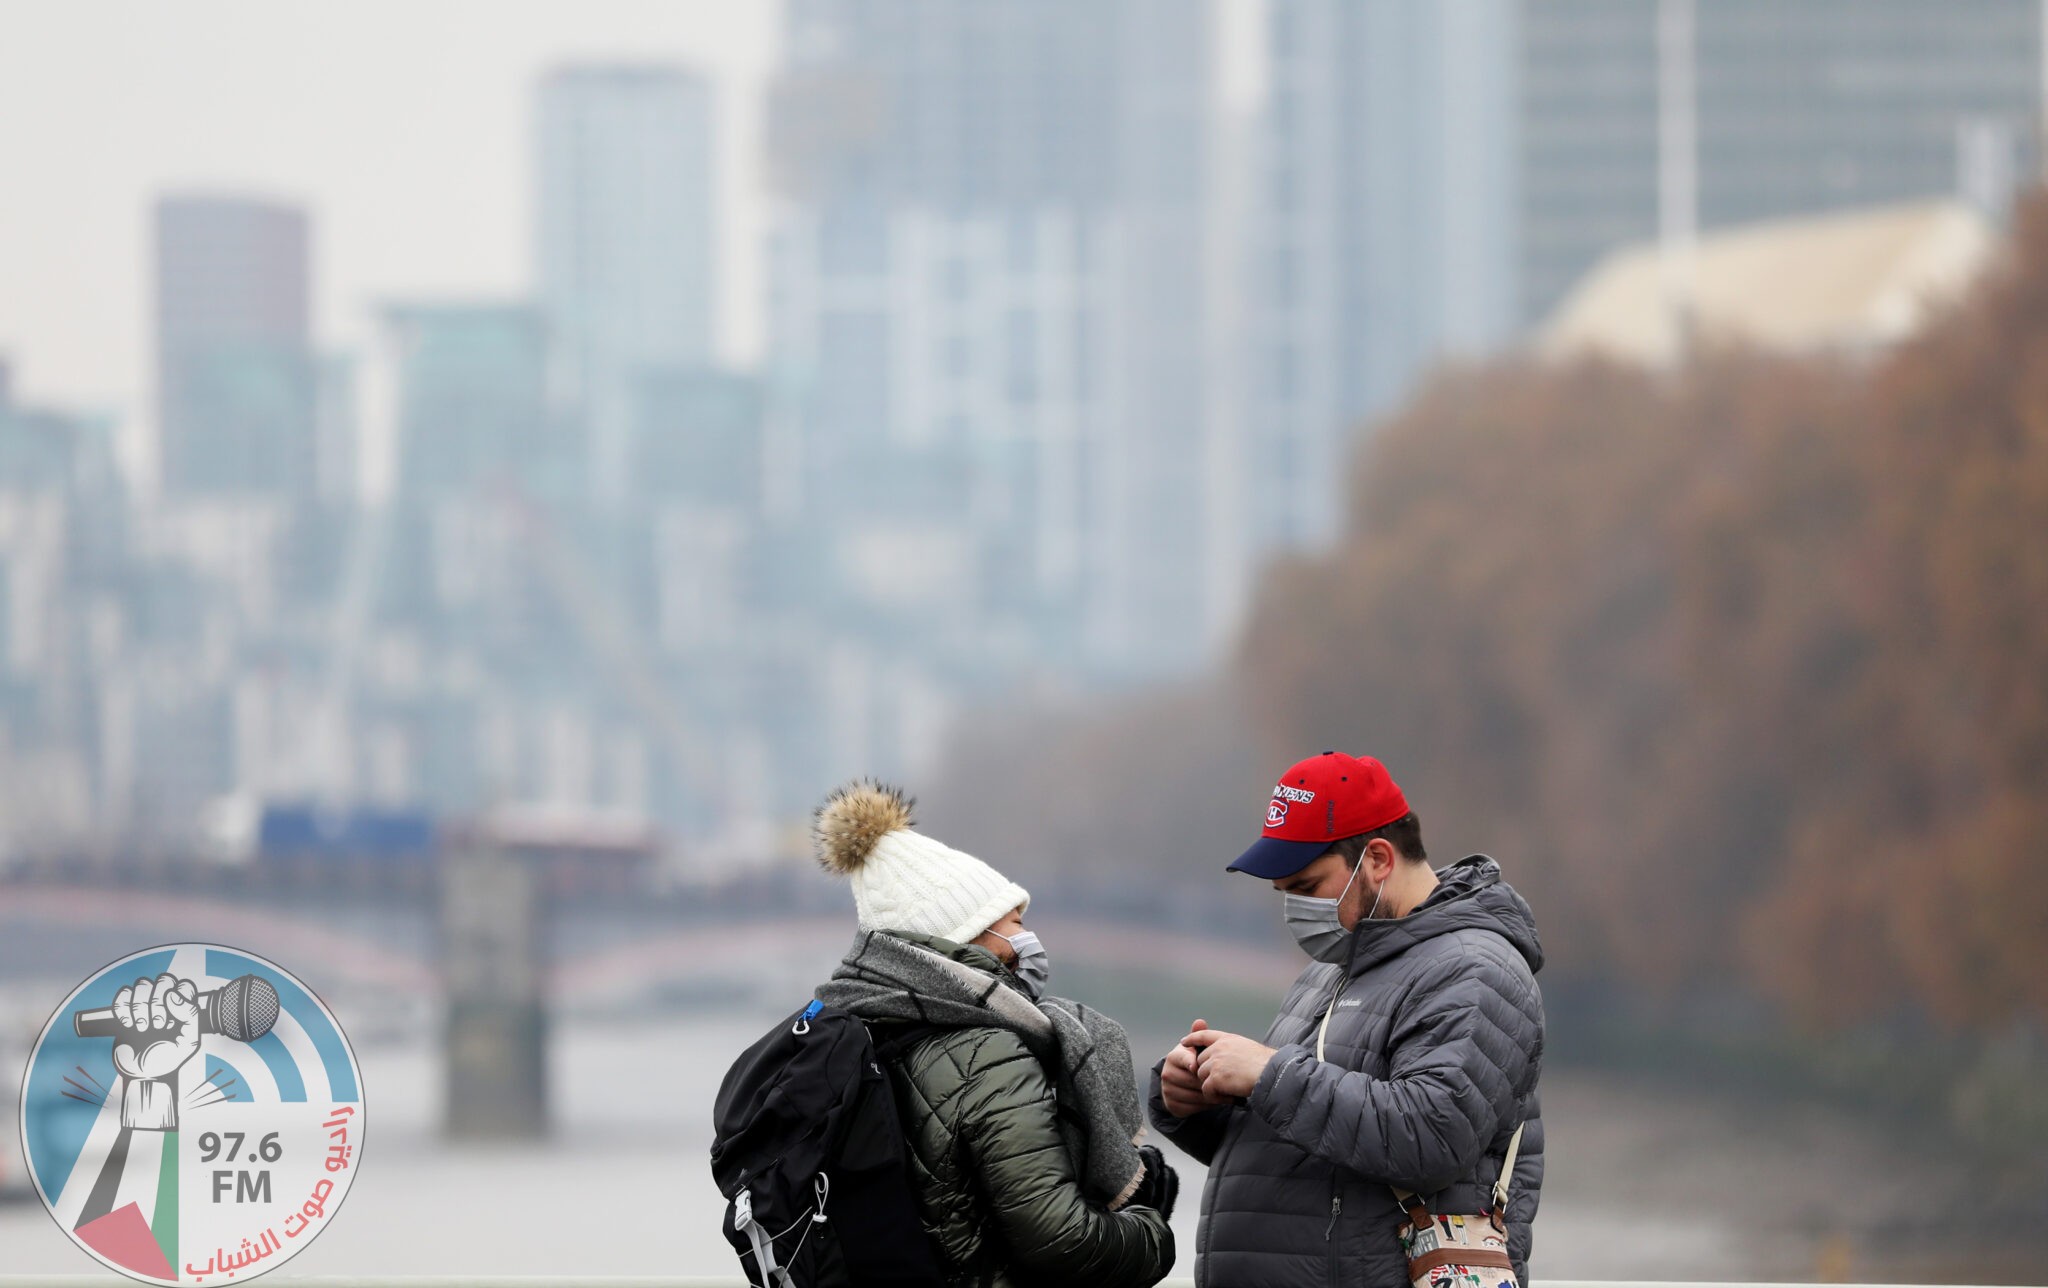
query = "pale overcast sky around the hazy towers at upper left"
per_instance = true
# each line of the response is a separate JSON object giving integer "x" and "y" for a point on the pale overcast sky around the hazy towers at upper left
{"x": 163, "y": 99}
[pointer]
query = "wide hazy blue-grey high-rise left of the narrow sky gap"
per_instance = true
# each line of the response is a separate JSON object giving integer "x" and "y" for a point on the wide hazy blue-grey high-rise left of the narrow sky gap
{"x": 988, "y": 306}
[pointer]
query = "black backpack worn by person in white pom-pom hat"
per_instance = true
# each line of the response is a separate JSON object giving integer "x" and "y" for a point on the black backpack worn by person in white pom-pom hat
{"x": 810, "y": 1156}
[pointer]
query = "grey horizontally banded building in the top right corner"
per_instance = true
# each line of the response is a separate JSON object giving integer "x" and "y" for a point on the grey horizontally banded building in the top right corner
{"x": 1799, "y": 108}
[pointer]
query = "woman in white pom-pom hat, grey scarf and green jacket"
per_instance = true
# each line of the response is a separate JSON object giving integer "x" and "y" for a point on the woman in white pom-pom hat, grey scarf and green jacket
{"x": 1021, "y": 1111}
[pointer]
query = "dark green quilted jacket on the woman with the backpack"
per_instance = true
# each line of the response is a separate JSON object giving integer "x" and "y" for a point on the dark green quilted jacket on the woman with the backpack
{"x": 996, "y": 1189}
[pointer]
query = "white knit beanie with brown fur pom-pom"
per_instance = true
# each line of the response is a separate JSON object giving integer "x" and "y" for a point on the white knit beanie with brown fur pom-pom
{"x": 908, "y": 882}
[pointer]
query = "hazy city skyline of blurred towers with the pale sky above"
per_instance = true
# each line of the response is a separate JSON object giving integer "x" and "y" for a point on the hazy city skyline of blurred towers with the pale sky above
{"x": 755, "y": 396}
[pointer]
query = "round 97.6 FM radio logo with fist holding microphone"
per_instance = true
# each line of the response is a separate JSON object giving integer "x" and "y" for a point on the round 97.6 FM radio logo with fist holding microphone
{"x": 191, "y": 1115}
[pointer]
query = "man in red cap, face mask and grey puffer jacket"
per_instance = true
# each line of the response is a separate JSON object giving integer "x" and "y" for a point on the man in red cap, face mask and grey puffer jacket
{"x": 1390, "y": 1121}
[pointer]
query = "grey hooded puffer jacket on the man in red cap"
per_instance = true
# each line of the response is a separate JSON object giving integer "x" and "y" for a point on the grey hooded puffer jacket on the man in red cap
{"x": 1433, "y": 1062}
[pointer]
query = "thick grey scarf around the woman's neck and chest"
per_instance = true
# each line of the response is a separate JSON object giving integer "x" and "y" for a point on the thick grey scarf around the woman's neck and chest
{"x": 912, "y": 978}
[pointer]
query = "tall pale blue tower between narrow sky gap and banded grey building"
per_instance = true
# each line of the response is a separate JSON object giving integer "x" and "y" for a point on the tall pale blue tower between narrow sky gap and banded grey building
{"x": 1383, "y": 198}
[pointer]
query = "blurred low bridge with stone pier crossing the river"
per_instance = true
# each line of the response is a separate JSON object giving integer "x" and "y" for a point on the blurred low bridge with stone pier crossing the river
{"x": 488, "y": 959}
